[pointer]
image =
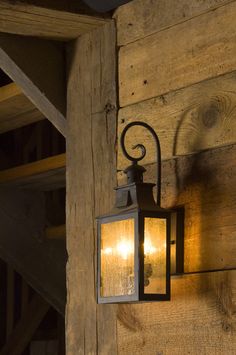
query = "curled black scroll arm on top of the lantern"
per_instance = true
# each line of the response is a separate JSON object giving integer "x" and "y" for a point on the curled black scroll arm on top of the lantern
{"x": 142, "y": 148}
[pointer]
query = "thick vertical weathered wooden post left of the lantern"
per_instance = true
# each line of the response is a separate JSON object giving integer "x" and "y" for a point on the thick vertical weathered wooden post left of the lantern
{"x": 91, "y": 176}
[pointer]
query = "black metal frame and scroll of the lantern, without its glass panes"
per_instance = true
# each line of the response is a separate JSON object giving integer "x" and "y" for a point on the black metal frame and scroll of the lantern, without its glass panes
{"x": 135, "y": 200}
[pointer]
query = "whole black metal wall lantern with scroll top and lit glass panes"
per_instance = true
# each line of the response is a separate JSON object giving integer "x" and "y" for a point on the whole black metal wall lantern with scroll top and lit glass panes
{"x": 134, "y": 238}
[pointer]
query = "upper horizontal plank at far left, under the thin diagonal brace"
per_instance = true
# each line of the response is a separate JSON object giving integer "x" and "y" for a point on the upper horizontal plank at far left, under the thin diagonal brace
{"x": 16, "y": 110}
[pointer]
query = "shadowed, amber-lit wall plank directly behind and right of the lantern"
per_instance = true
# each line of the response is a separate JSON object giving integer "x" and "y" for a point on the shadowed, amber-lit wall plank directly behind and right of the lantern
{"x": 205, "y": 184}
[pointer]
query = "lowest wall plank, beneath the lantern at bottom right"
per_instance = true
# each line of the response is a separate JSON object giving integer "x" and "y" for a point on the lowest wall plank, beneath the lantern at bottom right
{"x": 199, "y": 319}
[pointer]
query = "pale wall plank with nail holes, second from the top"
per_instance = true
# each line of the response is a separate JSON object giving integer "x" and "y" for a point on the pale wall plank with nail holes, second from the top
{"x": 193, "y": 51}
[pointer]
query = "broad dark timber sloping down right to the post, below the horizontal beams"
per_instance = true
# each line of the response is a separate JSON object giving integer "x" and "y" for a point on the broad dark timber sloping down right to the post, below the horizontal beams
{"x": 40, "y": 261}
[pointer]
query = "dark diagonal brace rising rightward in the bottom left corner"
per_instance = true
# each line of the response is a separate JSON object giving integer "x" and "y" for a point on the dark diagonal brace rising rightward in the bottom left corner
{"x": 26, "y": 327}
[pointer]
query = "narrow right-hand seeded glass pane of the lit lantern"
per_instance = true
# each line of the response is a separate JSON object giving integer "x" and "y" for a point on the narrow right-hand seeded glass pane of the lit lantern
{"x": 154, "y": 255}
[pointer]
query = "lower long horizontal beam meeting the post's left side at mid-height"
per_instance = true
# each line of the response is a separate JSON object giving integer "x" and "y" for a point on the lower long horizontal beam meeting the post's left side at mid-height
{"x": 45, "y": 174}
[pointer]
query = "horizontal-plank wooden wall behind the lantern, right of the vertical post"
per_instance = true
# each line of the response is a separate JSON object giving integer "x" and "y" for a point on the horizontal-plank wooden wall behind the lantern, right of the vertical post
{"x": 177, "y": 72}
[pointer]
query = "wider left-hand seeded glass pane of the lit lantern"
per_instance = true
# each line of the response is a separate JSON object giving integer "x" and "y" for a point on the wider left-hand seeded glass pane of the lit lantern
{"x": 117, "y": 258}
